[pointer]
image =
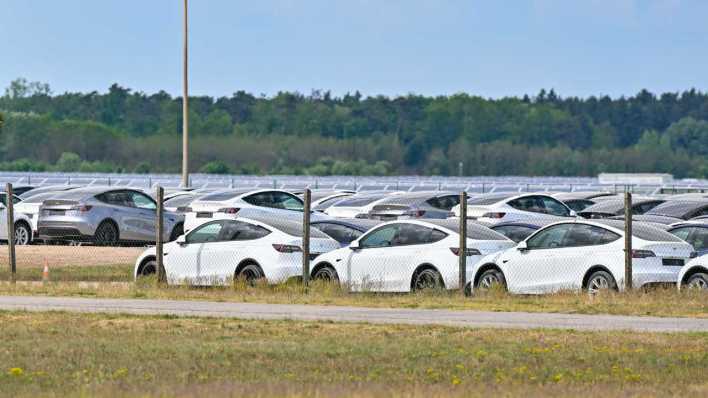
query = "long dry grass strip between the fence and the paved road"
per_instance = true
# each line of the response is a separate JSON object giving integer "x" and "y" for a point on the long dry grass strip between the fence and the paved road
{"x": 658, "y": 302}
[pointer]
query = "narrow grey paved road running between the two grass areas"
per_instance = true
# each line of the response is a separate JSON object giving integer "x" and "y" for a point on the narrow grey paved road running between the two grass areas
{"x": 519, "y": 320}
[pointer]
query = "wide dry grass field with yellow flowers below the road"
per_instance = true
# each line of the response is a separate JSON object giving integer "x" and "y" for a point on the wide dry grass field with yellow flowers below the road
{"x": 62, "y": 354}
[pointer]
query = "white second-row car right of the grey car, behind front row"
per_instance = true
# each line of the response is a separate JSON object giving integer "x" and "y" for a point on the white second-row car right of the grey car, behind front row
{"x": 492, "y": 208}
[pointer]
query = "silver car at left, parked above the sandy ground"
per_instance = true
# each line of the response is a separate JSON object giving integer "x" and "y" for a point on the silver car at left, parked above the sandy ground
{"x": 105, "y": 216}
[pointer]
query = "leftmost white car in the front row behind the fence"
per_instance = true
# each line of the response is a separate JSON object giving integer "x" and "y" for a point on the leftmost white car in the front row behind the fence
{"x": 223, "y": 250}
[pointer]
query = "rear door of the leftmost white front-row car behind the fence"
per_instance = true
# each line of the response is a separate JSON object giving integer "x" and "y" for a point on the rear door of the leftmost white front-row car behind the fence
{"x": 237, "y": 241}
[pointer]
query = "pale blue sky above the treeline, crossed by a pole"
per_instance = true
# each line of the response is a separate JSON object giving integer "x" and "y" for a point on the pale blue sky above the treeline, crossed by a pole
{"x": 490, "y": 48}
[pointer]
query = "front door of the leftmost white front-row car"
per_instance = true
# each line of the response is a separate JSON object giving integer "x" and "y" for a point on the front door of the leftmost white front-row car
{"x": 183, "y": 262}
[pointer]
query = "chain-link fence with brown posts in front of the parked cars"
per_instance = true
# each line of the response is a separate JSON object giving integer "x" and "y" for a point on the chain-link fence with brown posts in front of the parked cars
{"x": 112, "y": 234}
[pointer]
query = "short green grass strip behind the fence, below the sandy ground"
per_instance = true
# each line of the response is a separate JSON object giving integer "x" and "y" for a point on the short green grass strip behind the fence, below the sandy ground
{"x": 104, "y": 273}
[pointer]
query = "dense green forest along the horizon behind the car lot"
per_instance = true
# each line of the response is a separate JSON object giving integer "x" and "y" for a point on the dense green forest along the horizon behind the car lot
{"x": 545, "y": 134}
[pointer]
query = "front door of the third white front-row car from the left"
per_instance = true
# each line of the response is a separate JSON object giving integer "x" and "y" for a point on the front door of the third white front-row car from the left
{"x": 531, "y": 270}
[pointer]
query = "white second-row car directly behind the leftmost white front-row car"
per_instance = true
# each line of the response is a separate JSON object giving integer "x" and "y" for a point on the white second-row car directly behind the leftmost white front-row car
{"x": 217, "y": 204}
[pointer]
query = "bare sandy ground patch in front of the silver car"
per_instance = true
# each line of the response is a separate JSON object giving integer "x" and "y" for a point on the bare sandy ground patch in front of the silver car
{"x": 62, "y": 256}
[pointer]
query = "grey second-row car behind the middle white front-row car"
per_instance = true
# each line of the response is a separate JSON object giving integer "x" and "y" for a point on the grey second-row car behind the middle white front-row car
{"x": 411, "y": 205}
